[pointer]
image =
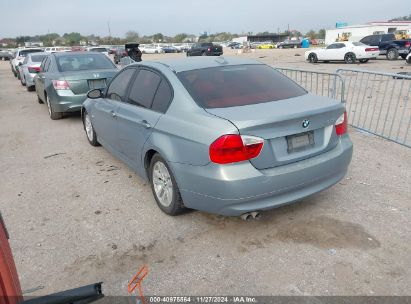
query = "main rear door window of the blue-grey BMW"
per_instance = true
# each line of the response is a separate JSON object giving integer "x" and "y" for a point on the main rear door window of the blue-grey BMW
{"x": 143, "y": 89}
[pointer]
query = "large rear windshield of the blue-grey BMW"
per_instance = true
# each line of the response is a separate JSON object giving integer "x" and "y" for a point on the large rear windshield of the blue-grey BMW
{"x": 239, "y": 85}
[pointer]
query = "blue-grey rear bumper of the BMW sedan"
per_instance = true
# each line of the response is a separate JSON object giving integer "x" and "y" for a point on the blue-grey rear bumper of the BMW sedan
{"x": 235, "y": 189}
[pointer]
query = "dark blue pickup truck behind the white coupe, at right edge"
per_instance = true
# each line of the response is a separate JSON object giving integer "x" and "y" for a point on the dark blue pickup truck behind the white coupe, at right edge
{"x": 388, "y": 45}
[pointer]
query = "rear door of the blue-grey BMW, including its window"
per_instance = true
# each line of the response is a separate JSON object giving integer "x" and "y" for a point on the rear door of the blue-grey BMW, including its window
{"x": 138, "y": 117}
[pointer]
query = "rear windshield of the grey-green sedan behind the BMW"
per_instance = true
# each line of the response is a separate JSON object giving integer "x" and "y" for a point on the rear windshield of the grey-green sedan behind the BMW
{"x": 80, "y": 62}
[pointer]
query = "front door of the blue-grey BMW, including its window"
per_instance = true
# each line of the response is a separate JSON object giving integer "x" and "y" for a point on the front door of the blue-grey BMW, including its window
{"x": 104, "y": 110}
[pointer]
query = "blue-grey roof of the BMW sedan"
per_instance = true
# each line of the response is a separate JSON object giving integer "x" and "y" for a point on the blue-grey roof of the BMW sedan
{"x": 200, "y": 62}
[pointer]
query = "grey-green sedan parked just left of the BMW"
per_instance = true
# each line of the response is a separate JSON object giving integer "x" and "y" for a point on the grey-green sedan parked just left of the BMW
{"x": 65, "y": 79}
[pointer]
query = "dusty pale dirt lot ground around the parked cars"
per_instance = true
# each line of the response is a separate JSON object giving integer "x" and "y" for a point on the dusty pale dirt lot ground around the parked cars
{"x": 77, "y": 215}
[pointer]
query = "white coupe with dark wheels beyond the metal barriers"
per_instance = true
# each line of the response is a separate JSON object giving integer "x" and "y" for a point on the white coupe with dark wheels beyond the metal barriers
{"x": 346, "y": 51}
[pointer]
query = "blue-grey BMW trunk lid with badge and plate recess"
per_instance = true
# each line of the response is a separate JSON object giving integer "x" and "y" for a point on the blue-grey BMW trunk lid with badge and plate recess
{"x": 293, "y": 129}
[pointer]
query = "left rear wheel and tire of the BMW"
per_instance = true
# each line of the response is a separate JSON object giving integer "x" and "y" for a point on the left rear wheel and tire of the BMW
{"x": 161, "y": 177}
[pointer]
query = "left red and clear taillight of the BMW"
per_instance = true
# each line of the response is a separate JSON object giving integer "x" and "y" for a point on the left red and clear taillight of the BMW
{"x": 235, "y": 148}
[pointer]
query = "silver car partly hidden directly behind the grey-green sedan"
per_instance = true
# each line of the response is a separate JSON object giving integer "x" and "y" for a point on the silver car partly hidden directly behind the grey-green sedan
{"x": 29, "y": 69}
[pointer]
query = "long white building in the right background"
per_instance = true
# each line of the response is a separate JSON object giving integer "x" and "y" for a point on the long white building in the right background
{"x": 356, "y": 32}
